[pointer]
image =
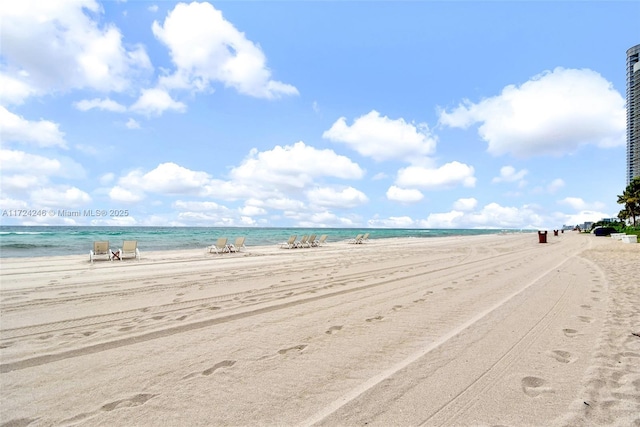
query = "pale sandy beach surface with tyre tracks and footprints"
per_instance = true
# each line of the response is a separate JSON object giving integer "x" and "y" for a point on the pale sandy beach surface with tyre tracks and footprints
{"x": 494, "y": 330}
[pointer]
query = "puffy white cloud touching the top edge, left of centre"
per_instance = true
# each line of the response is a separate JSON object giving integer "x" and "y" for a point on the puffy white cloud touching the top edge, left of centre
{"x": 205, "y": 47}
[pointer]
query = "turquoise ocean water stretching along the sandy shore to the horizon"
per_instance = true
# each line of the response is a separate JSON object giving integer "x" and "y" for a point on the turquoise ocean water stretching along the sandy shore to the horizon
{"x": 34, "y": 241}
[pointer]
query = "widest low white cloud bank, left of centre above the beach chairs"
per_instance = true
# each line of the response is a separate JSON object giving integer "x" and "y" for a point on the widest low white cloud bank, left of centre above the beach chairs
{"x": 277, "y": 179}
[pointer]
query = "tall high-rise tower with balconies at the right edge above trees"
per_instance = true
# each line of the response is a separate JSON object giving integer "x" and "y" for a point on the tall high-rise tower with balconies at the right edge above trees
{"x": 633, "y": 113}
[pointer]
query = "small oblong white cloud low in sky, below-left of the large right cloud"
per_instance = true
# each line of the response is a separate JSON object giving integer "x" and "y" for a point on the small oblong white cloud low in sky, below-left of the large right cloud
{"x": 447, "y": 176}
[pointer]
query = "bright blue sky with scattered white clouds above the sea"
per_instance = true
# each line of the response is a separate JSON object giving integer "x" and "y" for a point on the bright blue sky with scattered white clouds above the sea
{"x": 315, "y": 114}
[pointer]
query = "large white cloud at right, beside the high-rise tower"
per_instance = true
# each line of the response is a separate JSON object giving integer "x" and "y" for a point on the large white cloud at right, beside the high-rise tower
{"x": 554, "y": 113}
